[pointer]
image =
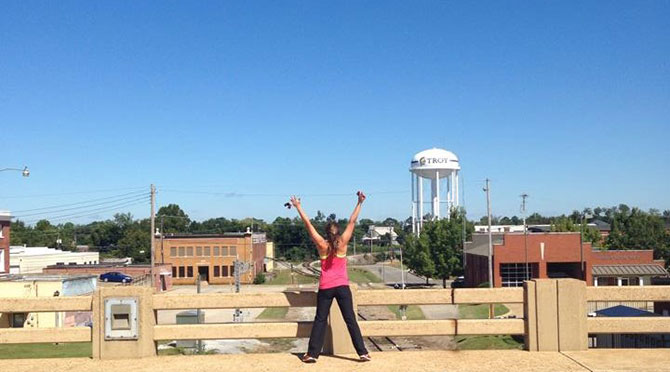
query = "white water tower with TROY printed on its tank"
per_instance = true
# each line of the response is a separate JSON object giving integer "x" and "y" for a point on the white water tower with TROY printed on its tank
{"x": 439, "y": 167}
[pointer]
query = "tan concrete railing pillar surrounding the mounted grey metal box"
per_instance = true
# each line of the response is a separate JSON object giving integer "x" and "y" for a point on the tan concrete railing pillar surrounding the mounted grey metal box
{"x": 143, "y": 345}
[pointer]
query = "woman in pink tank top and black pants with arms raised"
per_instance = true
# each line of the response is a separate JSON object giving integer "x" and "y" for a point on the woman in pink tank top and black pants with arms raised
{"x": 334, "y": 281}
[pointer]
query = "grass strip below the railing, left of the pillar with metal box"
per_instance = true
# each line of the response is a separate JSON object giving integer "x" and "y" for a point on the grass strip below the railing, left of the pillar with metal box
{"x": 46, "y": 350}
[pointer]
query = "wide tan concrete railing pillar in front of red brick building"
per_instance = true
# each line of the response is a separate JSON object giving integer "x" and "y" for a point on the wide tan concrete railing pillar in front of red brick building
{"x": 555, "y": 315}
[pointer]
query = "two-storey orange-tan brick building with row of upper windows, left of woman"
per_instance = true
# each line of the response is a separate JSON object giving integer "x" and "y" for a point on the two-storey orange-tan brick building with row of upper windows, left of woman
{"x": 212, "y": 256}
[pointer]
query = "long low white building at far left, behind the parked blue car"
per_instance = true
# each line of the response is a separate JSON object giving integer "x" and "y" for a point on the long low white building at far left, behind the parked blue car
{"x": 31, "y": 260}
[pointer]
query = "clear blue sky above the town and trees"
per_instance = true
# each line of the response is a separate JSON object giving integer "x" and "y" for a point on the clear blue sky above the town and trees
{"x": 567, "y": 101}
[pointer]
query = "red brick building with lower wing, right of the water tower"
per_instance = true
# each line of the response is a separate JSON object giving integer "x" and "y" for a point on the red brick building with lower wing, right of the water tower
{"x": 556, "y": 255}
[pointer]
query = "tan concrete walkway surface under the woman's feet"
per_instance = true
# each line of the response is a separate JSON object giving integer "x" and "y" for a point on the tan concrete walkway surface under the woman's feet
{"x": 479, "y": 360}
